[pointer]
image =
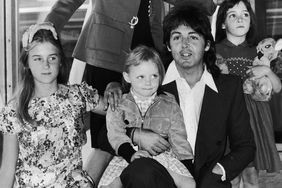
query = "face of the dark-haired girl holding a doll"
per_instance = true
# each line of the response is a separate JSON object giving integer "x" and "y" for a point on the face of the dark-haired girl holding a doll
{"x": 237, "y": 22}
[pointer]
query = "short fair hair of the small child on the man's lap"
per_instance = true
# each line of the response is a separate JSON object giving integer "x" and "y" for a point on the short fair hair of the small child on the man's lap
{"x": 137, "y": 56}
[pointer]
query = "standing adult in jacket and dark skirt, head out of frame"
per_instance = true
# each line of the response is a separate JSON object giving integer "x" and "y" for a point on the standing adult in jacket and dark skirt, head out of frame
{"x": 113, "y": 28}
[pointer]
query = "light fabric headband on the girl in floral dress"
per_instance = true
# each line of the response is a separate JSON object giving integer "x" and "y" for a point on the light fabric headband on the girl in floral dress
{"x": 29, "y": 33}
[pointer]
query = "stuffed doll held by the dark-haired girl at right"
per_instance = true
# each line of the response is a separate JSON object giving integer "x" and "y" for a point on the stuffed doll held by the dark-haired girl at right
{"x": 268, "y": 54}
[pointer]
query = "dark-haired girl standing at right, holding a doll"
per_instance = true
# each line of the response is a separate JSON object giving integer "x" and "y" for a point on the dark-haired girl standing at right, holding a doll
{"x": 235, "y": 37}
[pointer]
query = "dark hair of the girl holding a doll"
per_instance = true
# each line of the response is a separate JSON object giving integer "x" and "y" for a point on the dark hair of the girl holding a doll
{"x": 220, "y": 35}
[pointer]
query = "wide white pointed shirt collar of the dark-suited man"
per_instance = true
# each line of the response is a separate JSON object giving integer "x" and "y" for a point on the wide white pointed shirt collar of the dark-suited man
{"x": 172, "y": 74}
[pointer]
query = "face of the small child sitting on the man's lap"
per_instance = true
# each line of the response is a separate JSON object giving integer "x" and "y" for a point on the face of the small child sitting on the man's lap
{"x": 144, "y": 78}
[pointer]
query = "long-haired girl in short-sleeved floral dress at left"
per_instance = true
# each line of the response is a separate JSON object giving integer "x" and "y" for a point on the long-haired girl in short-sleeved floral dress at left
{"x": 42, "y": 124}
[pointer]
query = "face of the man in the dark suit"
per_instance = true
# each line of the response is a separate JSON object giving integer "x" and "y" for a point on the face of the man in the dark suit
{"x": 187, "y": 47}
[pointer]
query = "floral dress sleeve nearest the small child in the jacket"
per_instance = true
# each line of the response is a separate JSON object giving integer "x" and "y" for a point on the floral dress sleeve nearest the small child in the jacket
{"x": 89, "y": 95}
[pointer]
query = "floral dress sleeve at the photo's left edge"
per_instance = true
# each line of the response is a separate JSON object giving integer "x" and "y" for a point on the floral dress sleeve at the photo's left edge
{"x": 9, "y": 123}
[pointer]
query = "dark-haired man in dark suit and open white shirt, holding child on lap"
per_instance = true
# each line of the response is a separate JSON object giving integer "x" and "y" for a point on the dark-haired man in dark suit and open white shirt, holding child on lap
{"x": 212, "y": 103}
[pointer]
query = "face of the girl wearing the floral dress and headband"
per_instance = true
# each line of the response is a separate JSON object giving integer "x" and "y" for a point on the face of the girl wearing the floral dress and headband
{"x": 44, "y": 63}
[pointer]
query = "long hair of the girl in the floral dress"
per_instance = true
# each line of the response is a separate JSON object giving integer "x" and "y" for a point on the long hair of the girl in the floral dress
{"x": 25, "y": 88}
